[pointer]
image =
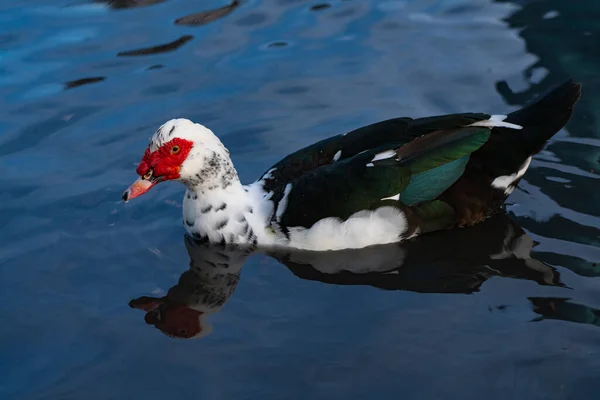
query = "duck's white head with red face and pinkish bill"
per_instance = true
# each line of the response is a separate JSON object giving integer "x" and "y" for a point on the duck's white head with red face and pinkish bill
{"x": 184, "y": 151}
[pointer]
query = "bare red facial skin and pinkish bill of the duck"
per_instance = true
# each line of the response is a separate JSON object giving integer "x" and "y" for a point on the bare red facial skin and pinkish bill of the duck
{"x": 160, "y": 165}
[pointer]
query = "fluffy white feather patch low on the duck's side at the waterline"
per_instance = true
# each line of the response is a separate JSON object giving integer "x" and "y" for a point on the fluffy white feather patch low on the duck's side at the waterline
{"x": 362, "y": 229}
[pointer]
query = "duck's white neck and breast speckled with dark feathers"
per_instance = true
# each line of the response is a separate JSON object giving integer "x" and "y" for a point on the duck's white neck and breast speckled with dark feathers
{"x": 220, "y": 214}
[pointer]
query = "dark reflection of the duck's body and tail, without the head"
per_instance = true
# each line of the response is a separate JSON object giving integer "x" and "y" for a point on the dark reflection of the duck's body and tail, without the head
{"x": 457, "y": 261}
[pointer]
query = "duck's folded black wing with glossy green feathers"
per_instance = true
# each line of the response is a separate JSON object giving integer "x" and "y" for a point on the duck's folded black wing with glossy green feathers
{"x": 408, "y": 174}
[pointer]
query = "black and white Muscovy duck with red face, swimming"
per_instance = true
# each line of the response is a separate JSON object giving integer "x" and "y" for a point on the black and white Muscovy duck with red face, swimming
{"x": 386, "y": 182}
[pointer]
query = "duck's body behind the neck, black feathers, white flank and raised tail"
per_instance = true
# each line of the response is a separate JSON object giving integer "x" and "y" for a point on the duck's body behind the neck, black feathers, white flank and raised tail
{"x": 421, "y": 174}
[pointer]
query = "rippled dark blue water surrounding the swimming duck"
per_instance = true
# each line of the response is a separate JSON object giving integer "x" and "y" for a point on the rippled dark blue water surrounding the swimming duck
{"x": 84, "y": 84}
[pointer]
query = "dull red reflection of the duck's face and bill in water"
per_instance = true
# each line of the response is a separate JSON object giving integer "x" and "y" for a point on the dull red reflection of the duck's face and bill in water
{"x": 173, "y": 319}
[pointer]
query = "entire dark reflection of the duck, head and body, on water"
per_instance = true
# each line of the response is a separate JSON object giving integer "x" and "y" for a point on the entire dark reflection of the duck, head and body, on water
{"x": 457, "y": 261}
